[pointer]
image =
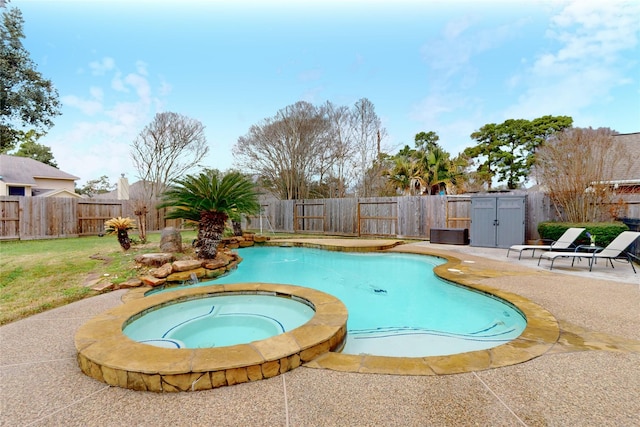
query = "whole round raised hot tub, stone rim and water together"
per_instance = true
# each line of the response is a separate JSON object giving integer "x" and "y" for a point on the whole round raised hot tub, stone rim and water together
{"x": 169, "y": 364}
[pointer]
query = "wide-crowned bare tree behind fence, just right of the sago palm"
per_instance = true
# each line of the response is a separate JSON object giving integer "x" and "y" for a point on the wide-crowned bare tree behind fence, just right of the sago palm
{"x": 286, "y": 151}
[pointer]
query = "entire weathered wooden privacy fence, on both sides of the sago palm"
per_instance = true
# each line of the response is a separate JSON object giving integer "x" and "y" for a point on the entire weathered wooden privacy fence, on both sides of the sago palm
{"x": 29, "y": 218}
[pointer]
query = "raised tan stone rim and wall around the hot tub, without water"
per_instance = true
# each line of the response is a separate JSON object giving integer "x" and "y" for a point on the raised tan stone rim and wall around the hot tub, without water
{"x": 106, "y": 354}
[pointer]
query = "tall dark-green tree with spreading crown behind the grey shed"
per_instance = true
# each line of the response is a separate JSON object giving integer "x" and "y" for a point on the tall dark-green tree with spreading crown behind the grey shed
{"x": 506, "y": 151}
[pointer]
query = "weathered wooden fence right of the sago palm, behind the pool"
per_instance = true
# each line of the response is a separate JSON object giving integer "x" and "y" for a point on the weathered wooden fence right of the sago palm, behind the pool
{"x": 405, "y": 217}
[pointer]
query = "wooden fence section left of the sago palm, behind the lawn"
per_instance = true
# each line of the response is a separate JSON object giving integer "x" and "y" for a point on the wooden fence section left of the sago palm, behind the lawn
{"x": 29, "y": 218}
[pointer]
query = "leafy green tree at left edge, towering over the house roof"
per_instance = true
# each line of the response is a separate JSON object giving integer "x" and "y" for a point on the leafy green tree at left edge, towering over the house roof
{"x": 26, "y": 97}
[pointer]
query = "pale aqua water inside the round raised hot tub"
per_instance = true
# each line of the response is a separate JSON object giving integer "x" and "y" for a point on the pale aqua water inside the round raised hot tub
{"x": 218, "y": 321}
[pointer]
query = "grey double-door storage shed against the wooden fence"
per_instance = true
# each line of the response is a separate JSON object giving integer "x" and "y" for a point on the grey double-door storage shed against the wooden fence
{"x": 497, "y": 221}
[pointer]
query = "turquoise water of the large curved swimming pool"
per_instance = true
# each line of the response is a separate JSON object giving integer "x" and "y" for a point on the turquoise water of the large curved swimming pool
{"x": 397, "y": 305}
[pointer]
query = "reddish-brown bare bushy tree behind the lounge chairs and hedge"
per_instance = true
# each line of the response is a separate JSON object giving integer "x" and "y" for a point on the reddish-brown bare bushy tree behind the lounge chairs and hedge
{"x": 576, "y": 166}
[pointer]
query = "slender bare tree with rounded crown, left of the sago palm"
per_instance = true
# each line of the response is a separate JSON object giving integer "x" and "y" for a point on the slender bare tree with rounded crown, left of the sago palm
{"x": 166, "y": 149}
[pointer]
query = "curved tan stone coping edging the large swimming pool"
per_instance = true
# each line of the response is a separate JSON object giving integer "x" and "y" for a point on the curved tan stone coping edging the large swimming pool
{"x": 540, "y": 334}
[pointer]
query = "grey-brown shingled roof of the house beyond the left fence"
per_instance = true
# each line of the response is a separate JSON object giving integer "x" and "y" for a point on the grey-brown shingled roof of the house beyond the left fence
{"x": 23, "y": 171}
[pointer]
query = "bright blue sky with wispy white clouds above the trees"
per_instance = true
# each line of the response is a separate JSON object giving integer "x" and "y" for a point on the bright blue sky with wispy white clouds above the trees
{"x": 444, "y": 66}
